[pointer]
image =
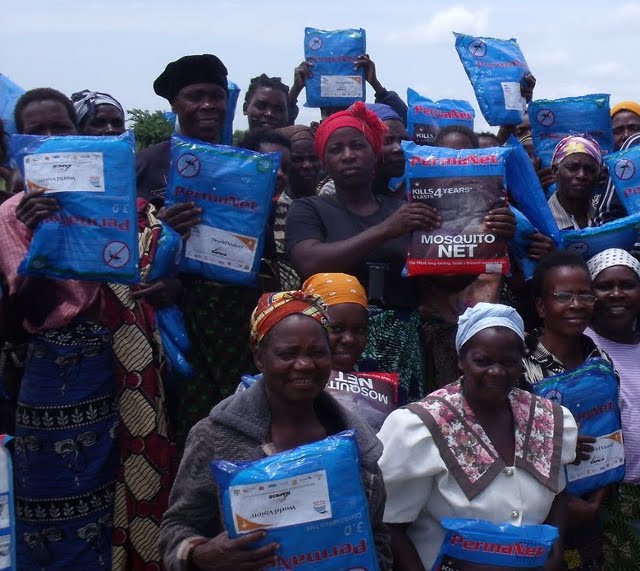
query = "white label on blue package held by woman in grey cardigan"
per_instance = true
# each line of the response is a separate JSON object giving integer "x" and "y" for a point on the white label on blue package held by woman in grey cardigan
{"x": 281, "y": 503}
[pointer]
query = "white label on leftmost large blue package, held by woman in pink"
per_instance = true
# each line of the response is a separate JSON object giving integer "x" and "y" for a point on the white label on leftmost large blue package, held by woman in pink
{"x": 65, "y": 172}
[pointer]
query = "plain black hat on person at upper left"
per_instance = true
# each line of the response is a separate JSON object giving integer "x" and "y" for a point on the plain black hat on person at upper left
{"x": 205, "y": 68}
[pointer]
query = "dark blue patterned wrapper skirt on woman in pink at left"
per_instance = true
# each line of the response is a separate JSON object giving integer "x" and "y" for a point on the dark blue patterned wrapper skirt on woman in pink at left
{"x": 66, "y": 456}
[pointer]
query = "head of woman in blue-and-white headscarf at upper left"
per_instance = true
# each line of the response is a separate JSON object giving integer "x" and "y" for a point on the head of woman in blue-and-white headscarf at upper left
{"x": 98, "y": 113}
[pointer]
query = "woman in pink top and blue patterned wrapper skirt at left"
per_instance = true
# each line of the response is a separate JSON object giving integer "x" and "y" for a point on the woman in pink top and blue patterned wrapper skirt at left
{"x": 66, "y": 458}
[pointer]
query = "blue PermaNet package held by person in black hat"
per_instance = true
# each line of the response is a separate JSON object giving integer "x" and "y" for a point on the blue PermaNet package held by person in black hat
{"x": 235, "y": 188}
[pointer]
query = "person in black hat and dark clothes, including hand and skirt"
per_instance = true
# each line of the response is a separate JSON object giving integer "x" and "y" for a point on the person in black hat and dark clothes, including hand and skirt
{"x": 216, "y": 315}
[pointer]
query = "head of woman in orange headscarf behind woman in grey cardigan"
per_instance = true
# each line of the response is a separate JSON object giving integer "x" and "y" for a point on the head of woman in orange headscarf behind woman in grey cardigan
{"x": 347, "y": 308}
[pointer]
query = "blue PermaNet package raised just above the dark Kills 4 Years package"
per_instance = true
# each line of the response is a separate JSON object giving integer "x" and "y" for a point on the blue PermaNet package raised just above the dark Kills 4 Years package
{"x": 425, "y": 118}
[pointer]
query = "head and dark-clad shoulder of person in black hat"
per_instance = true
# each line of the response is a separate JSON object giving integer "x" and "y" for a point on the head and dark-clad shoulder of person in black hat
{"x": 196, "y": 87}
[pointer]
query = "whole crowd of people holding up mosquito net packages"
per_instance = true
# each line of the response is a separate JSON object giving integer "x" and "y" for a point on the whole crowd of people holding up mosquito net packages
{"x": 111, "y": 463}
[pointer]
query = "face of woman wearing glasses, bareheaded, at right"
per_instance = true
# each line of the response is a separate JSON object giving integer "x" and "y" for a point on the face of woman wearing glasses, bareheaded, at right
{"x": 561, "y": 307}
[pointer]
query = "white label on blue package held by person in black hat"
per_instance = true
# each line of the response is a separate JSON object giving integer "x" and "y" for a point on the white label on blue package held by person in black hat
{"x": 221, "y": 248}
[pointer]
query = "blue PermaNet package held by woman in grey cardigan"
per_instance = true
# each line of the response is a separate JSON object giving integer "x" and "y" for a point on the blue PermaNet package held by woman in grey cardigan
{"x": 310, "y": 500}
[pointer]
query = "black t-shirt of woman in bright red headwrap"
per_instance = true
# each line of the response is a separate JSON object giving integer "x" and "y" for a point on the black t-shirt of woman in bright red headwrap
{"x": 324, "y": 218}
